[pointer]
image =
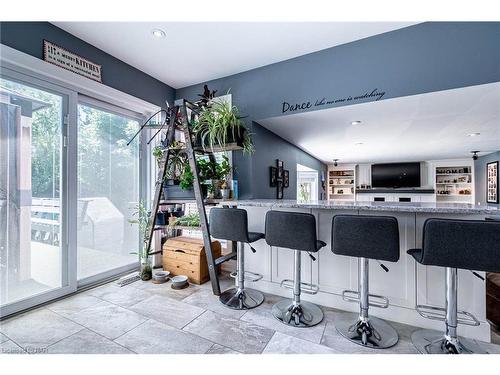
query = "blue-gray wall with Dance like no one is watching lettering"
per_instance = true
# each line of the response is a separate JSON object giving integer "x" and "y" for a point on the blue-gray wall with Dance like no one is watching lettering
{"x": 427, "y": 57}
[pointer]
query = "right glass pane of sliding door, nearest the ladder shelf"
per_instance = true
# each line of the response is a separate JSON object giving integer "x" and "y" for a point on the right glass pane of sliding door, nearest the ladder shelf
{"x": 108, "y": 191}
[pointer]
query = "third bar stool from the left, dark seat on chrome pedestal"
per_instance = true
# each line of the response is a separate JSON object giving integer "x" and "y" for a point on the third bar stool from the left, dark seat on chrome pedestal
{"x": 366, "y": 237}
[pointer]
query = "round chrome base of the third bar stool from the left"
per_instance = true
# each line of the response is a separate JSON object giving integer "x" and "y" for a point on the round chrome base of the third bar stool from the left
{"x": 374, "y": 333}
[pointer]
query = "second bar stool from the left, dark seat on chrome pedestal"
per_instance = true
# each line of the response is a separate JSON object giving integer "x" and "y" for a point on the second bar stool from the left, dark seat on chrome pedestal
{"x": 297, "y": 231}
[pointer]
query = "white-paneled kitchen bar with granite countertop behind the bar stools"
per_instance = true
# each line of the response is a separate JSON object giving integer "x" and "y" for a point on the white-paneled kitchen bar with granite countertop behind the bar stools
{"x": 403, "y": 284}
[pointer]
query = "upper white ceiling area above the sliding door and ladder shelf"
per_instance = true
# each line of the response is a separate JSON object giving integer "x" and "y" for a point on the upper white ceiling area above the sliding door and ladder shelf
{"x": 196, "y": 52}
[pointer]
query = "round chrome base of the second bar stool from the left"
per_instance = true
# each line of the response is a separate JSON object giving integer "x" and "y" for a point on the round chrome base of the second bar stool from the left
{"x": 304, "y": 314}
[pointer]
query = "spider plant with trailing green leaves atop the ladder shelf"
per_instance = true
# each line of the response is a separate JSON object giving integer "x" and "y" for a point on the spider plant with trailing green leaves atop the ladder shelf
{"x": 219, "y": 126}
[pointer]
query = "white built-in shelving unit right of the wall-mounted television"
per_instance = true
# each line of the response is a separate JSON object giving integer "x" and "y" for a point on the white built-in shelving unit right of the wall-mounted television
{"x": 454, "y": 184}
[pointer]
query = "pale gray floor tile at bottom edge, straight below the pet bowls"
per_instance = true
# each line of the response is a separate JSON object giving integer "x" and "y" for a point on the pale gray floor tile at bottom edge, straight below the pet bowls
{"x": 154, "y": 337}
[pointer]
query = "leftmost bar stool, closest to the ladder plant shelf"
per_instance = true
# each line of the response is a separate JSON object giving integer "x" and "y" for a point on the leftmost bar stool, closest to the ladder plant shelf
{"x": 231, "y": 224}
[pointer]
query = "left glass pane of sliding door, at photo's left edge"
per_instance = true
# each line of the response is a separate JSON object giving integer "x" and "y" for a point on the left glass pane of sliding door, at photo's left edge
{"x": 33, "y": 260}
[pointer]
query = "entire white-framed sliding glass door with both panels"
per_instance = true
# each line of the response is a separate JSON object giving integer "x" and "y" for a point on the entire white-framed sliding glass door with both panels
{"x": 69, "y": 184}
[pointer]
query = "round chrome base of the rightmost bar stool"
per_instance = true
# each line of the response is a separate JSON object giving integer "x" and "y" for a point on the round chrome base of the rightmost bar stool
{"x": 433, "y": 342}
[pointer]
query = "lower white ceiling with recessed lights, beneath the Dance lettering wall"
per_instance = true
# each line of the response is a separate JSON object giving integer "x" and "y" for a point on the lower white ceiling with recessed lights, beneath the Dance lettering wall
{"x": 414, "y": 128}
